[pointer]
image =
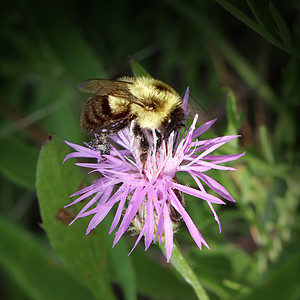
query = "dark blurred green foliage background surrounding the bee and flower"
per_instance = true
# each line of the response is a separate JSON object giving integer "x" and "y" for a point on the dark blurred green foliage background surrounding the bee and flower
{"x": 241, "y": 61}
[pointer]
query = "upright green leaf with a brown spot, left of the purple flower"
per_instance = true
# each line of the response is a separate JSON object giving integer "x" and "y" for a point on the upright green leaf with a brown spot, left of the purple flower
{"x": 85, "y": 255}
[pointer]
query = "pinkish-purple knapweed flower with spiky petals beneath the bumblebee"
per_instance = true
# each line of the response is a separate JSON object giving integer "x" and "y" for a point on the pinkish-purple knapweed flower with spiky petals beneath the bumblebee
{"x": 148, "y": 197}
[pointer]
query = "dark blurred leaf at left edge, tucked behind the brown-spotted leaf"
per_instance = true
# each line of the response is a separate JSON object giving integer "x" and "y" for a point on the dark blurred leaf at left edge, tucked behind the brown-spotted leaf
{"x": 18, "y": 162}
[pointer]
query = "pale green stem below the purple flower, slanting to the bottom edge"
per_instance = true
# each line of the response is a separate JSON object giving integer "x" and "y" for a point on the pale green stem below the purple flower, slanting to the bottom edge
{"x": 181, "y": 265}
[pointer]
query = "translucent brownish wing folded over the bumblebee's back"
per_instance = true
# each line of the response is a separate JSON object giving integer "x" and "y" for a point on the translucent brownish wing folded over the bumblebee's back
{"x": 103, "y": 87}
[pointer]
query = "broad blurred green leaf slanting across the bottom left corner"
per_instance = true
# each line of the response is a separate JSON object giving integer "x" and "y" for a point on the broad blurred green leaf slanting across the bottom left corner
{"x": 34, "y": 269}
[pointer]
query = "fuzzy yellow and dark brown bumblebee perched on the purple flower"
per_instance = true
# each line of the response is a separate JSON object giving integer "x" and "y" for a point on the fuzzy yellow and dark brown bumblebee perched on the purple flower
{"x": 151, "y": 103}
